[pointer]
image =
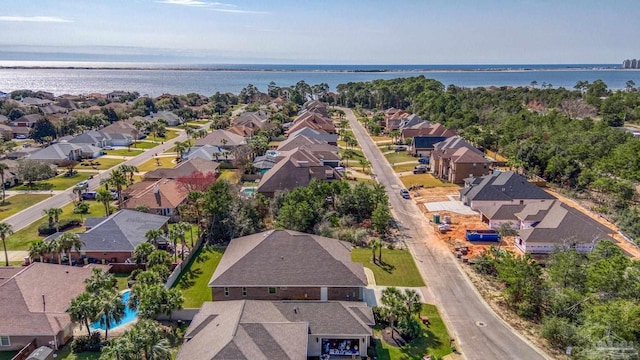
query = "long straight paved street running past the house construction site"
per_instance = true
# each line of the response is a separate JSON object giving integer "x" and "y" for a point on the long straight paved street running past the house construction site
{"x": 479, "y": 332}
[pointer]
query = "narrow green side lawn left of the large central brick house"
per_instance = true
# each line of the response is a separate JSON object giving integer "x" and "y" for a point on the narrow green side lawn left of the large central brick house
{"x": 193, "y": 282}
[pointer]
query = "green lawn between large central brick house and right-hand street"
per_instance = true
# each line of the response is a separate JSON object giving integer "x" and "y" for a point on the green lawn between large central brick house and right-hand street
{"x": 398, "y": 270}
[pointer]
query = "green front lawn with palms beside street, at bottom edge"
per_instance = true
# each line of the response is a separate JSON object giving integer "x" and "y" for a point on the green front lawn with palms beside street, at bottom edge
{"x": 434, "y": 340}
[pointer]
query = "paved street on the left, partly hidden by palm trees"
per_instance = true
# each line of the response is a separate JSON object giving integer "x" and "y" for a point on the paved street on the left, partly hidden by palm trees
{"x": 59, "y": 199}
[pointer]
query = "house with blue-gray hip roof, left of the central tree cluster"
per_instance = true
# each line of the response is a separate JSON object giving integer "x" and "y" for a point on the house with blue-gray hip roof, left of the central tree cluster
{"x": 113, "y": 238}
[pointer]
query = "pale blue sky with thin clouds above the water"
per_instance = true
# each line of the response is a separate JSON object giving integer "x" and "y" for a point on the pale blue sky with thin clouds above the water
{"x": 322, "y": 32}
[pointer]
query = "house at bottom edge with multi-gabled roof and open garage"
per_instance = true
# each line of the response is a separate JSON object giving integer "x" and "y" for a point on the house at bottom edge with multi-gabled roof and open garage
{"x": 295, "y": 330}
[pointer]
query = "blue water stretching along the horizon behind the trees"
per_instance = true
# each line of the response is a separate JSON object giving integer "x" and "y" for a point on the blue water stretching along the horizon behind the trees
{"x": 157, "y": 79}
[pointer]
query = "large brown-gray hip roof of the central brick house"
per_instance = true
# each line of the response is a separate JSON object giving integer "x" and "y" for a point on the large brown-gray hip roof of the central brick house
{"x": 287, "y": 258}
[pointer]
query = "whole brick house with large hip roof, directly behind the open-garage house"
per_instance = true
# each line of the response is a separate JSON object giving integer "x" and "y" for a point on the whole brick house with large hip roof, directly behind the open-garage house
{"x": 287, "y": 265}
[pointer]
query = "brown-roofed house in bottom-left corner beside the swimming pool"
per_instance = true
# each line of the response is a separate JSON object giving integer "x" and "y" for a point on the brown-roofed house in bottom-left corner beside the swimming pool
{"x": 35, "y": 300}
